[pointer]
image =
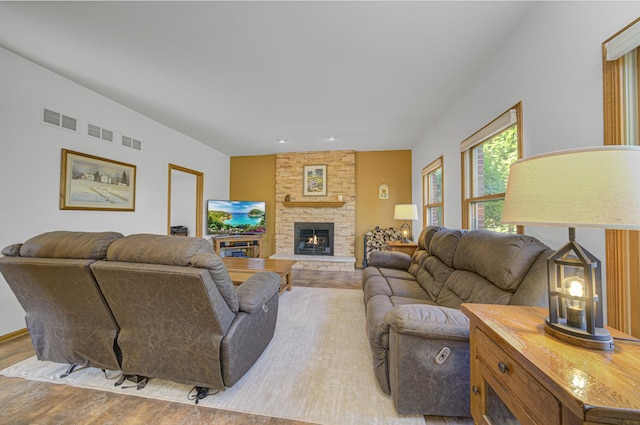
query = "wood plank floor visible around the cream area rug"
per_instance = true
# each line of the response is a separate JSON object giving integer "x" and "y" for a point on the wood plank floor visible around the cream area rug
{"x": 31, "y": 402}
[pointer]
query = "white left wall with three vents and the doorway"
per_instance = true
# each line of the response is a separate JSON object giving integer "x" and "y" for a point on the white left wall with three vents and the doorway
{"x": 30, "y": 163}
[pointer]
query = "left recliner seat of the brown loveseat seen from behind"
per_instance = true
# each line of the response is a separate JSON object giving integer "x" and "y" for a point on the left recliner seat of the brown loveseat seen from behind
{"x": 66, "y": 315}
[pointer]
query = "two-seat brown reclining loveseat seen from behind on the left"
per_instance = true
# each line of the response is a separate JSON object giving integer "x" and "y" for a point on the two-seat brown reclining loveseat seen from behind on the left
{"x": 150, "y": 305}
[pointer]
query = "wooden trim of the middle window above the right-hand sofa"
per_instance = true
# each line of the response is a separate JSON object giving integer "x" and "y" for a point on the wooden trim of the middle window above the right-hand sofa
{"x": 505, "y": 120}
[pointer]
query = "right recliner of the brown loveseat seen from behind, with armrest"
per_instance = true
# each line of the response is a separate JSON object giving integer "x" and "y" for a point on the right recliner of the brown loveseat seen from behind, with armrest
{"x": 180, "y": 316}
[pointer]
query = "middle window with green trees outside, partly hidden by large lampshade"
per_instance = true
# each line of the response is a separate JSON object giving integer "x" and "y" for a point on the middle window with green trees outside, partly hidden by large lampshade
{"x": 486, "y": 158}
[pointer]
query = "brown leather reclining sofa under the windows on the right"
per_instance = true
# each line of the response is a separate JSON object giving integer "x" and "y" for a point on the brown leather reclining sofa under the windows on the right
{"x": 419, "y": 338}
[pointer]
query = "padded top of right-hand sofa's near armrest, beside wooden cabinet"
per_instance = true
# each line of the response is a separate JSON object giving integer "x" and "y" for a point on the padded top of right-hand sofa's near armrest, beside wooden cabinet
{"x": 429, "y": 321}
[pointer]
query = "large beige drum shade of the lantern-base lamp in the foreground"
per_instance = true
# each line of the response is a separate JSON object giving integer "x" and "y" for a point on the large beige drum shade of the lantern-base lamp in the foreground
{"x": 593, "y": 187}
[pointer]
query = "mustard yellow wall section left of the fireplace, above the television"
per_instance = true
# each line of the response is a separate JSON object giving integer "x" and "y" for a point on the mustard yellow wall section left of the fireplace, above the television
{"x": 253, "y": 178}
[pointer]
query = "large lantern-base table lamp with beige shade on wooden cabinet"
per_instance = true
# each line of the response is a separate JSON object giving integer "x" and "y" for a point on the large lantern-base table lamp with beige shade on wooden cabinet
{"x": 592, "y": 187}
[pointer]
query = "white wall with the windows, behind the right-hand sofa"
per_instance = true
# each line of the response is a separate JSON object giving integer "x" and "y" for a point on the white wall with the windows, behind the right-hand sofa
{"x": 553, "y": 64}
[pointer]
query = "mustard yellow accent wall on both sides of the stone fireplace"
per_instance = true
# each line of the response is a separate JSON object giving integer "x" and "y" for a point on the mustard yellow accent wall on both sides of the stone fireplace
{"x": 253, "y": 178}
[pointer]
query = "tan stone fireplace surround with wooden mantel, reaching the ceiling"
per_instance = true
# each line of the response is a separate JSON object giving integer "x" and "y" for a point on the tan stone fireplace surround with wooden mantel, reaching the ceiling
{"x": 337, "y": 207}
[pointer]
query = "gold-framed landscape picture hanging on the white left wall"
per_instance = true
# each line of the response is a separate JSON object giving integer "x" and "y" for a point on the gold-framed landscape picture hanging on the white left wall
{"x": 89, "y": 182}
